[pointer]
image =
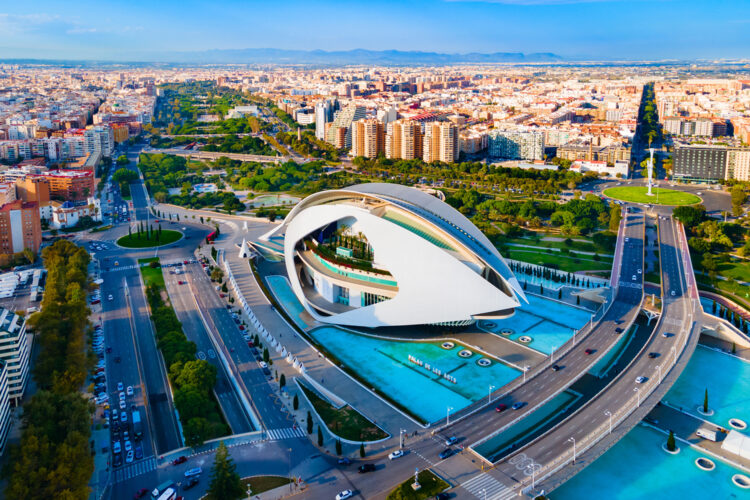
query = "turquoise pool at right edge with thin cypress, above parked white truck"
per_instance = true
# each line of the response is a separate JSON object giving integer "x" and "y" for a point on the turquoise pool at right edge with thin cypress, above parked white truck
{"x": 728, "y": 382}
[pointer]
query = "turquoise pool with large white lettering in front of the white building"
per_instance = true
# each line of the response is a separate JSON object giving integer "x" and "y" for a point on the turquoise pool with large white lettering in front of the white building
{"x": 385, "y": 364}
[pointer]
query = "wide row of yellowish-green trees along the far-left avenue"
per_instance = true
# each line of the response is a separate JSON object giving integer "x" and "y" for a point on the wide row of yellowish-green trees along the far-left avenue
{"x": 53, "y": 459}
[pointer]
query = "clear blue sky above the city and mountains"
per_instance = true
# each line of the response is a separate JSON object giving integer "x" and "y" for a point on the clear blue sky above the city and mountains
{"x": 138, "y": 29}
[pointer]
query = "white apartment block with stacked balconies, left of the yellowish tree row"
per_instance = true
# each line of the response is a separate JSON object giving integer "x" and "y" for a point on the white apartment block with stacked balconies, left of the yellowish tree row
{"x": 15, "y": 349}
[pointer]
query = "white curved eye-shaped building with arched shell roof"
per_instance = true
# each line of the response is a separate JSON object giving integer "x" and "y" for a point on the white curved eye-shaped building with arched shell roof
{"x": 376, "y": 255}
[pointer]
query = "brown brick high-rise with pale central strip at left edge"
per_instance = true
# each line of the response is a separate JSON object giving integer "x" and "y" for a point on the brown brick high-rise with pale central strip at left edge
{"x": 20, "y": 228}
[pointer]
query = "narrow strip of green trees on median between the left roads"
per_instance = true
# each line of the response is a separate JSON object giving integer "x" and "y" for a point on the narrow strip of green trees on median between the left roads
{"x": 193, "y": 379}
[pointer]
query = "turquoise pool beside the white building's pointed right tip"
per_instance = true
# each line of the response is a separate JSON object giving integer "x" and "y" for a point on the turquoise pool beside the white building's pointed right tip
{"x": 547, "y": 322}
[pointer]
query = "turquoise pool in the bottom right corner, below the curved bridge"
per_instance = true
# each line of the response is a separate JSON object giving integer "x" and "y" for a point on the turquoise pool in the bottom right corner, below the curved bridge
{"x": 637, "y": 469}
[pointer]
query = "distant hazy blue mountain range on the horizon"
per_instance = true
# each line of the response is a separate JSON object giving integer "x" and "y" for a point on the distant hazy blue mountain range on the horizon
{"x": 344, "y": 57}
